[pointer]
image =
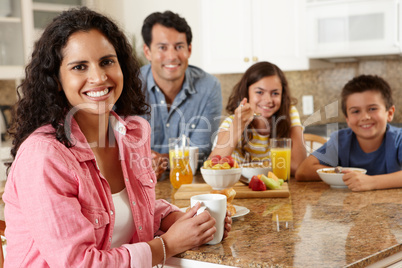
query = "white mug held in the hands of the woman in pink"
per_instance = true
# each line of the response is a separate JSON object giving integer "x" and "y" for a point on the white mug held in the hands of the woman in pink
{"x": 216, "y": 206}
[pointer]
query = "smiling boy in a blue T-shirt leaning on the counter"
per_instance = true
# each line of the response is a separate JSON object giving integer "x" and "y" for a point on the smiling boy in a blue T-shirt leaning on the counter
{"x": 369, "y": 142}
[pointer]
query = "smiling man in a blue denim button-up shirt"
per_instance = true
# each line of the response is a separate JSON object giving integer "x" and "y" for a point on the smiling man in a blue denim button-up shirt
{"x": 184, "y": 99}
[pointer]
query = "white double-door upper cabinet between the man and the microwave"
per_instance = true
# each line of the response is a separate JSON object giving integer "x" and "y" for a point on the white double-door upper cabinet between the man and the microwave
{"x": 238, "y": 33}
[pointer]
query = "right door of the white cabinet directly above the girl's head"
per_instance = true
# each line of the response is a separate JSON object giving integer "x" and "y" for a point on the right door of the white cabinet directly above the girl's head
{"x": 278, "y": 33}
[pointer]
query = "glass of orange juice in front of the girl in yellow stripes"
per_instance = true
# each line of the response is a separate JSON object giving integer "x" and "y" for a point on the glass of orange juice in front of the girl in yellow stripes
{"x": 280, "y": 157}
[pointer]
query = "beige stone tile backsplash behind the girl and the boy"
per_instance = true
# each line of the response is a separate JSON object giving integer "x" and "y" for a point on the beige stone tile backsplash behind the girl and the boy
{"x": 326, "y": 84}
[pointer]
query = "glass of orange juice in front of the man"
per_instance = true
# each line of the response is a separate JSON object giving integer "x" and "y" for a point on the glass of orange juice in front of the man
{"x": 179, "y": 158}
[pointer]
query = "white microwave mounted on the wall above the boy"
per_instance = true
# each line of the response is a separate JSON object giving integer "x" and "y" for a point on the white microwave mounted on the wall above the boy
{"x": 353, "y": 28}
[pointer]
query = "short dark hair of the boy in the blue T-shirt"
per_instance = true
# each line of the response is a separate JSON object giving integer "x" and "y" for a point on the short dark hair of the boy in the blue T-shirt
{"x": 364, "y": 83}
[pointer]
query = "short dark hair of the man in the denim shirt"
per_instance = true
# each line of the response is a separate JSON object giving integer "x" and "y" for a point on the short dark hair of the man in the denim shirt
{"x": 167, "y": 19}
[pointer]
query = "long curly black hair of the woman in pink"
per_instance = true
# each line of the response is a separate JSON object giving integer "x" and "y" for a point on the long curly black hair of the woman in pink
{"x": 40, "y": 102}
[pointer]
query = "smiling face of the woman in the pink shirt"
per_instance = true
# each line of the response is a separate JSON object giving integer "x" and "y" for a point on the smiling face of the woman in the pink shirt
{"x": 90, "y": 73}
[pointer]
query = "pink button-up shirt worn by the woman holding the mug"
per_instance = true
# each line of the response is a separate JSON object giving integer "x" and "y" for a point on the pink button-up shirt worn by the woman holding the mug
{"x": 59, "y": 209}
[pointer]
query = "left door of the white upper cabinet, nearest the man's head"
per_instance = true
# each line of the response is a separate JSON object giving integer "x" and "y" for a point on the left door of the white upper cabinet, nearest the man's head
{"x": 226, "y": 34}
